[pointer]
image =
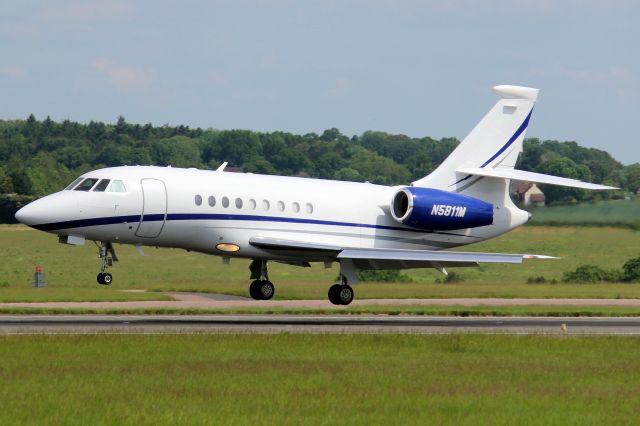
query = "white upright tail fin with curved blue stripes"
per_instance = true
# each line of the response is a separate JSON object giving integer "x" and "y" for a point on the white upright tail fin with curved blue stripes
{"x": 495, "y": 142}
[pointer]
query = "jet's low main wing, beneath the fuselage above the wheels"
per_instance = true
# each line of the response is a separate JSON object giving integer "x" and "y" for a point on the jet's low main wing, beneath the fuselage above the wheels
{"x": 372, "y": 258}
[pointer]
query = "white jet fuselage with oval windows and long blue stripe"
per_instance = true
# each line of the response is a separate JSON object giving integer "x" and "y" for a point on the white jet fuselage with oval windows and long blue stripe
{"x": 159, "y": 208}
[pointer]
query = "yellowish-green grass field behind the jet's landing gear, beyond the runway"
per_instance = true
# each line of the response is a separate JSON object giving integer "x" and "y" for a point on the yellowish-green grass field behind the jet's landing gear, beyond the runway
{"x": 69, "y": 269}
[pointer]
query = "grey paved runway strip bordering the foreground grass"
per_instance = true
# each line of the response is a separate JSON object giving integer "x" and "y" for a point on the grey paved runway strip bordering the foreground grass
{"x": 149, "y": 324}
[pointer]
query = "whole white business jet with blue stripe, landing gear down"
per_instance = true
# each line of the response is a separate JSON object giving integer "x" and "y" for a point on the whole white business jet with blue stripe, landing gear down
{"x": 299, "y": 220}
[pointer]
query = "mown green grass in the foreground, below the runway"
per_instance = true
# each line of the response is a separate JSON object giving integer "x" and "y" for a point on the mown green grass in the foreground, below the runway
{"x": 319, "y": 379}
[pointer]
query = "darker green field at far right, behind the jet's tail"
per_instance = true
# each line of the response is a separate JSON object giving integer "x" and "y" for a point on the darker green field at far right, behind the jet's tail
{"x": 610, "y": 211}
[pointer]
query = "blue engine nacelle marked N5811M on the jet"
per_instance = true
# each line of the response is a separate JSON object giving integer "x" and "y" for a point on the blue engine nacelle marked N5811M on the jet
{"x": 432, "y": 209}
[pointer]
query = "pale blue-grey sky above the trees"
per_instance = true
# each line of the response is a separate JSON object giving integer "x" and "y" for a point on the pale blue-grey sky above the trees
{"x": 419, "y": 68}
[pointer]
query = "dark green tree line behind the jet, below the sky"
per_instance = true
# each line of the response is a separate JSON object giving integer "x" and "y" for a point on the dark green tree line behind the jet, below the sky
{"x": 38, "y": 157}
